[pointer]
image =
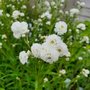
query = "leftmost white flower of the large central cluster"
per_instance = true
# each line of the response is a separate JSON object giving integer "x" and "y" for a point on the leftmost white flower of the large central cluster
{"x": 35, "y": 49}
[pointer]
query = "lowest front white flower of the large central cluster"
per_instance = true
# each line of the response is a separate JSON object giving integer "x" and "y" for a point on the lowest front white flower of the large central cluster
{"x": 48, "y": 54}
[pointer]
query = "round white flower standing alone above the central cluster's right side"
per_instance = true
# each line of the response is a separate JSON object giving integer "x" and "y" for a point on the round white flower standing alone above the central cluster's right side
{"x": 60, "y": 27}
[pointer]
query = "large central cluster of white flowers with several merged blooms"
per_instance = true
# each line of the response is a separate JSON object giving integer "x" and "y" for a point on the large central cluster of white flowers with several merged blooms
{"x": 51, "y": 49}
